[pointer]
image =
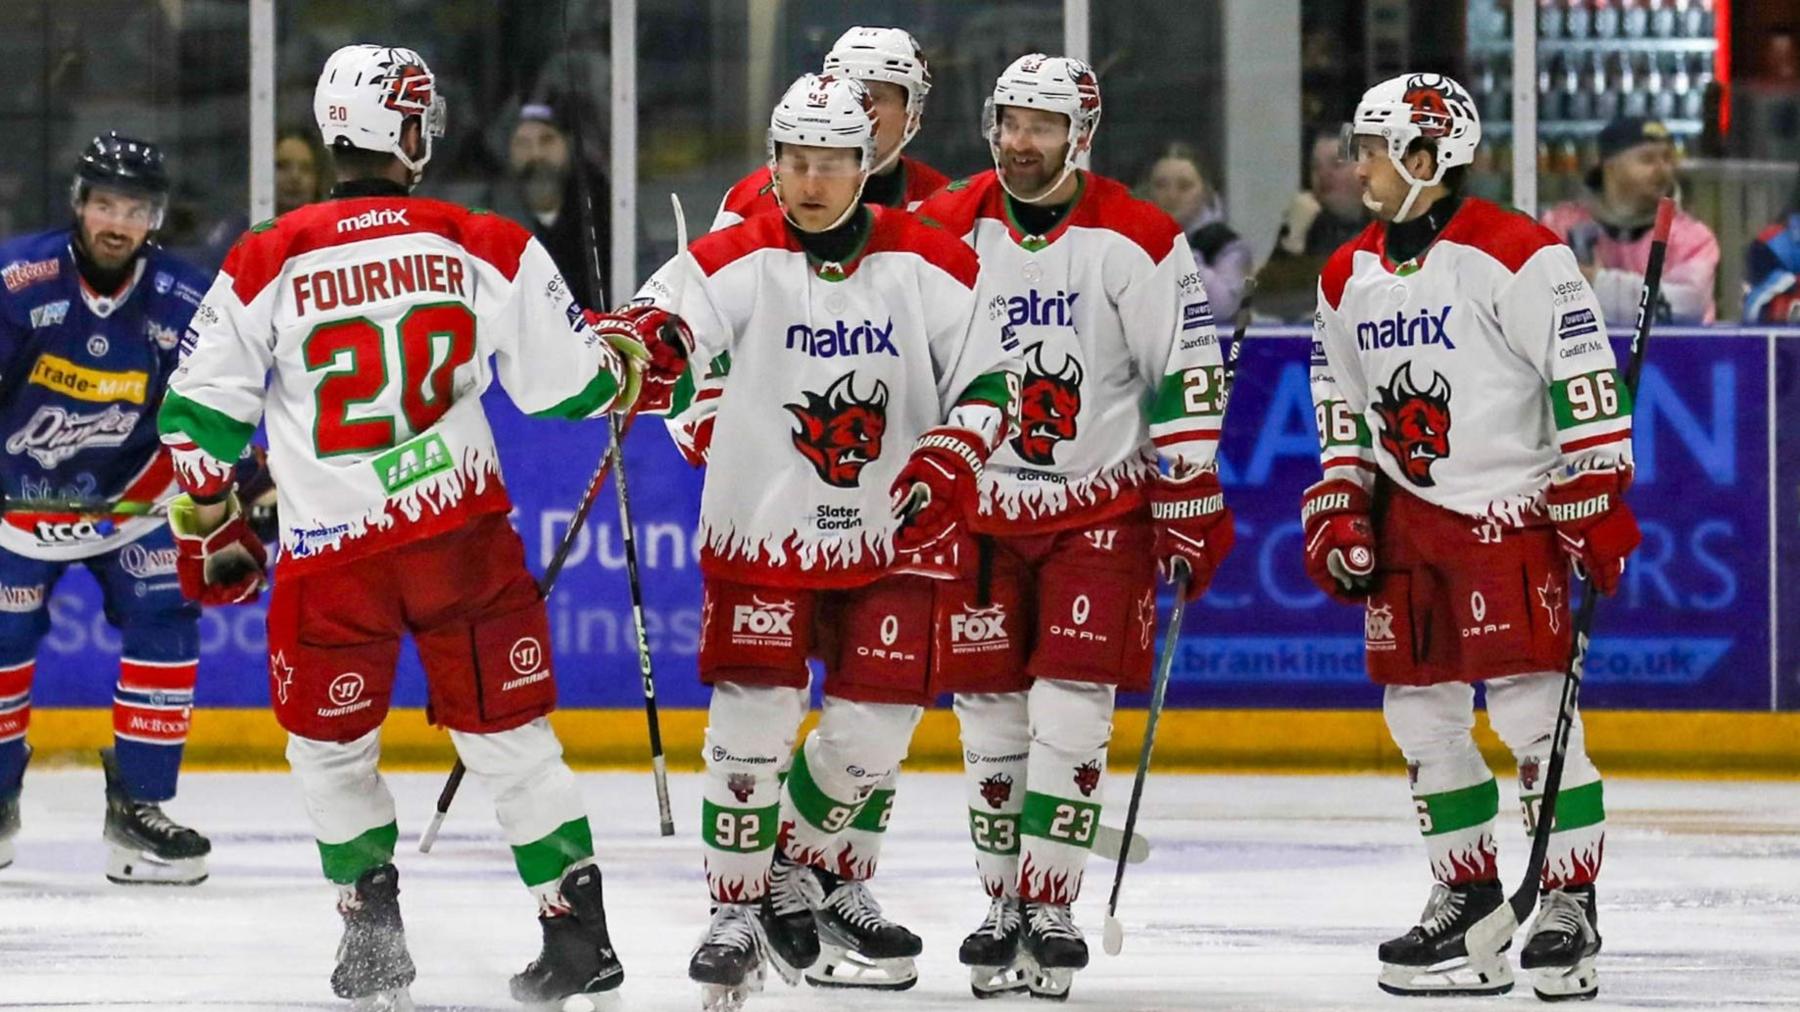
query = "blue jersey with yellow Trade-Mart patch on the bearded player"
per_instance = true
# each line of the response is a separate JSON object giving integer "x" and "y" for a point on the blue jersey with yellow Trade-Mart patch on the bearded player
{"x": 82, "y": 377}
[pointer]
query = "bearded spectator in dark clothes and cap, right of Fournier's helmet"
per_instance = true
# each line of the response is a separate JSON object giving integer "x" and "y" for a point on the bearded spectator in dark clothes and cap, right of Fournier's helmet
{"x": 541, "y": 192}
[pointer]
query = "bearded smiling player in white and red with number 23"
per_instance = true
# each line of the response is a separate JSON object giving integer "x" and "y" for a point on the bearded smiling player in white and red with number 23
{"x": 1122, "y": 374}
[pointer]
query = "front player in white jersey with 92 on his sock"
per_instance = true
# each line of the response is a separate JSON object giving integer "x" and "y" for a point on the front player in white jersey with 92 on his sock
{"x": 859, "y": 370}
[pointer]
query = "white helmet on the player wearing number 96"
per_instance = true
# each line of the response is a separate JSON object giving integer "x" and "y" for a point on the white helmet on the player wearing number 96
{"x": 1419, "y": 107}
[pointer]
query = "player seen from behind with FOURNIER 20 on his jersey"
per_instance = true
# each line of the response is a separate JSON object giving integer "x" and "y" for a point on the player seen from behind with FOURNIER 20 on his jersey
{"x": 381, "y": 318}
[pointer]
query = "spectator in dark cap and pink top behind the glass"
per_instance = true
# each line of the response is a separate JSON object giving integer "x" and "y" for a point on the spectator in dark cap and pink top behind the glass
{"x": 1610, "y": 228}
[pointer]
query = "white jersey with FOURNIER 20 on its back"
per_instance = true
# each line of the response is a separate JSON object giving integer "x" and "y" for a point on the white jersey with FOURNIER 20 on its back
{"x": 381, "y": 320}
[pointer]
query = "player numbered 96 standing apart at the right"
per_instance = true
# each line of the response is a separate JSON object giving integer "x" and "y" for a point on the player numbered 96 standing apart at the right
{"x": 1473, "y": 435}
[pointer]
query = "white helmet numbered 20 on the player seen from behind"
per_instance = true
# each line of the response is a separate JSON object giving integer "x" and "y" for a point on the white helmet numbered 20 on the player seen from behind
{"x": 368, "y": 93}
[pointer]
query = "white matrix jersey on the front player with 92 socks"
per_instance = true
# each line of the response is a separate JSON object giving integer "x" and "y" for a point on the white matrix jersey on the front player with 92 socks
{"x": 834, "y": 374}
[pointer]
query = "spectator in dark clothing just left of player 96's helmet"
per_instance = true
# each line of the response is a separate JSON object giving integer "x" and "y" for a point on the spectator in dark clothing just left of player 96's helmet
{"x": 1324, "y": 217}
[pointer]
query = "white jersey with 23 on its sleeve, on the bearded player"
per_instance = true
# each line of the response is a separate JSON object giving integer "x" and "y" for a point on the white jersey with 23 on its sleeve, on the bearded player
{"x": 1120, "y": 352}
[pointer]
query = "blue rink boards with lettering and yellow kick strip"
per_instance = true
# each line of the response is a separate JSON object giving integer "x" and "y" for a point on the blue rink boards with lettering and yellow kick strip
{"x": 1268, "y": 674}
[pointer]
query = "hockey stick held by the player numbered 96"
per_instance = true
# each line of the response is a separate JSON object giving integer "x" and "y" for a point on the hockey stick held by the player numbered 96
{"x": 1497, "y": 928}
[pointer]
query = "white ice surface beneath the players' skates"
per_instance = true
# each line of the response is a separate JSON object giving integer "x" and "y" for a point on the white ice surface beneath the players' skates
{"x": 1261, "y": 892}
